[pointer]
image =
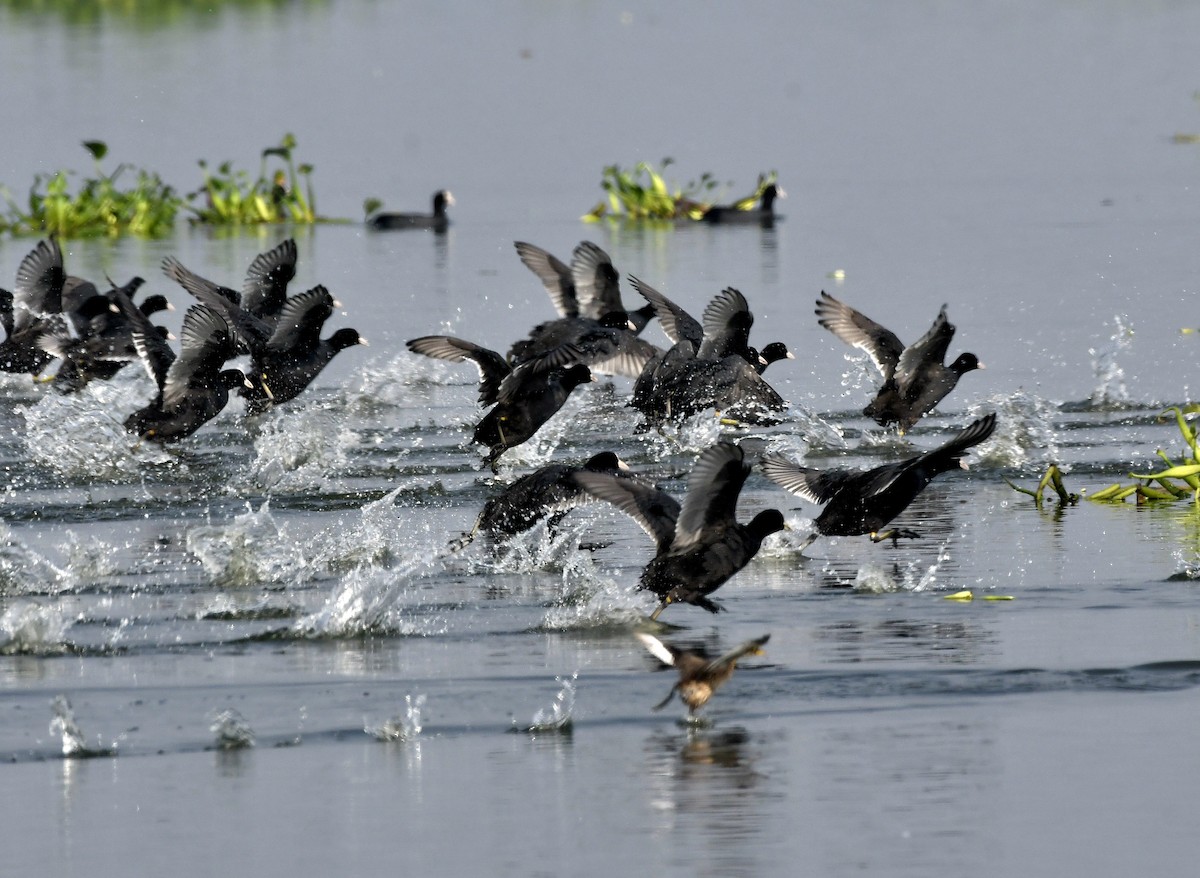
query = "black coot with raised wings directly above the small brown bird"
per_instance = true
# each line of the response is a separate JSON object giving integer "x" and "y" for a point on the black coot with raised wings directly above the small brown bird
{"x": 700, "y": 544}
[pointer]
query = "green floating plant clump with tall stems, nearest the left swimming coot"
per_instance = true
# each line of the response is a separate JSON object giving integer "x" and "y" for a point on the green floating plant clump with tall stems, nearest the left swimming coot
{"x": 230, "y": 197}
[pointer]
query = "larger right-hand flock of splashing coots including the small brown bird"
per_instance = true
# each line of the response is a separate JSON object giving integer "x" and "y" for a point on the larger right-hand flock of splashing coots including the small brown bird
{"x": 711, "y": 366}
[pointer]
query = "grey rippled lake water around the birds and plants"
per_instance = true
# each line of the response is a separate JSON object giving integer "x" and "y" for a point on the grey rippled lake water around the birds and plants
{"x": 290, "y": 579}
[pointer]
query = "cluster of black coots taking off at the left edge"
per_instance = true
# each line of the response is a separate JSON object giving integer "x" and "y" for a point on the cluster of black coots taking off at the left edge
{"x": 53, "y": 317}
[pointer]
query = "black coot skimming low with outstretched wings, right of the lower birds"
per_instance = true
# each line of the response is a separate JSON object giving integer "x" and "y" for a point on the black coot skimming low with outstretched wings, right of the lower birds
{"x": 865, "y": 502}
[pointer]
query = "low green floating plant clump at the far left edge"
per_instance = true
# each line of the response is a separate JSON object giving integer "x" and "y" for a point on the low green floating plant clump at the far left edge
{"x": 130, "y": 201}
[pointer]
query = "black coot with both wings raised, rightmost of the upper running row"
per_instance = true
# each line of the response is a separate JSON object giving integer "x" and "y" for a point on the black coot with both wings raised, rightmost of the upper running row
{"x": 915, "y": 378}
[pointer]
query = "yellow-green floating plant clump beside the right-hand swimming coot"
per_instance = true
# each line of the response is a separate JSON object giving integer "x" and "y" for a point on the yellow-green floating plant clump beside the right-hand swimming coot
{"x": 644, "y": 194}
